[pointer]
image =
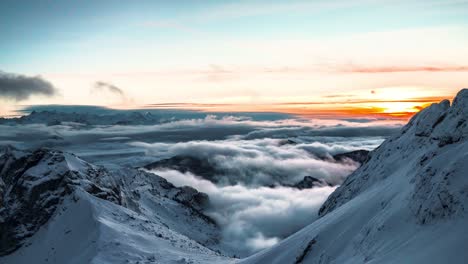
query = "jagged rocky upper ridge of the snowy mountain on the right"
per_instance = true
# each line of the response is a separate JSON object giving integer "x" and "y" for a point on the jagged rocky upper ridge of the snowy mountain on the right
{"x": 436, "y": 126}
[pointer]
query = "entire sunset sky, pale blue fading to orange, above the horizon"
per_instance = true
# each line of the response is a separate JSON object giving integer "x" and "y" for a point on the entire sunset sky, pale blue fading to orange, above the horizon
{"x": 385, "y": 59}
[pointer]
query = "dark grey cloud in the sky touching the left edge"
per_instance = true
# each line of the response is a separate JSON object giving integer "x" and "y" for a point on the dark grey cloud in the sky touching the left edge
{"x": 20, "y": 87}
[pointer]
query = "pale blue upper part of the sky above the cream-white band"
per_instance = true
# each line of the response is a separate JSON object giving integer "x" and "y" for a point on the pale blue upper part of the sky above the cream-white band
{"x": 40, "y": 30}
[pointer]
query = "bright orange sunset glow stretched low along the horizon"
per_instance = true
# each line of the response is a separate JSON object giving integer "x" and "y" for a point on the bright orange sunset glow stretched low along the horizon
{"x": 397, "y": 105}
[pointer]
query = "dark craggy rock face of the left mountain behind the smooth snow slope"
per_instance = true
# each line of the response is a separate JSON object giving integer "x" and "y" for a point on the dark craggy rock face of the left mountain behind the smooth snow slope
{"x": 34, "y": 184}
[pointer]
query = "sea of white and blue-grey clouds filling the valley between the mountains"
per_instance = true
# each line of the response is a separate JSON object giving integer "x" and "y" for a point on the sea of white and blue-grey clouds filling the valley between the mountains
{"x": 256, "y": 156}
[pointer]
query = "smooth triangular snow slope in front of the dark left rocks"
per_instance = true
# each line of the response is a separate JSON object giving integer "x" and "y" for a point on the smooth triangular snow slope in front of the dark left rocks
{"x": 90, "y": 230}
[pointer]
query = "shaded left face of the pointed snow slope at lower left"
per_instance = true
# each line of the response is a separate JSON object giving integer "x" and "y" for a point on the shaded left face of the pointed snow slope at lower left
{"x": 69, "y": 237}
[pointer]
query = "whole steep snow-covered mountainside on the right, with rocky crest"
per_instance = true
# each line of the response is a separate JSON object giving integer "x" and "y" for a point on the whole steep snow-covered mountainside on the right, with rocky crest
{"x": 406, "y": 204}
